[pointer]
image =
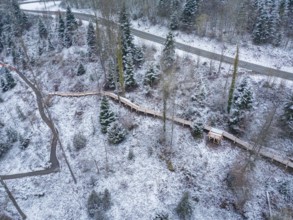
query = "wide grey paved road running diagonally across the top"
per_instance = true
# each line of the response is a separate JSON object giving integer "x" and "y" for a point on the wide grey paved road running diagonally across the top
{"x": 256, "y": 68}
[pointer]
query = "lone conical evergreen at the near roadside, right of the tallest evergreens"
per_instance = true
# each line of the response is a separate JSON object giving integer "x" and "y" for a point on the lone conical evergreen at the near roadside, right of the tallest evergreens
{"x": 168, "y": 56}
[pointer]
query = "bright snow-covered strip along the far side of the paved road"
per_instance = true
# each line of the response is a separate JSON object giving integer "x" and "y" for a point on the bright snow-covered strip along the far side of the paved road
{"x": 268, "y": 56}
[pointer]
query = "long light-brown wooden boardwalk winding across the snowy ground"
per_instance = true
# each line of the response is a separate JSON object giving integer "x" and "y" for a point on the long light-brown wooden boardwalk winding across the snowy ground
{"x": 264, "y": 152}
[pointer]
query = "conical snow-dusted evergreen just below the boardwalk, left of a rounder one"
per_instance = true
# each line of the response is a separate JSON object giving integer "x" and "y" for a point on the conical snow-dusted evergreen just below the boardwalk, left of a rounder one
{"x": 106, "y": 115}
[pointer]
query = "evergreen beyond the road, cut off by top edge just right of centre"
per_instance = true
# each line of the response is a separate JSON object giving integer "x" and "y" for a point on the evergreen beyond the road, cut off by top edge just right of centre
{"x": 189, "y": 13}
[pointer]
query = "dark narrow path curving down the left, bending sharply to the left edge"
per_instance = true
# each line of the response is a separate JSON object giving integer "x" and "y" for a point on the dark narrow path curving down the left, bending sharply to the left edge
{"x": 53, "y": 158}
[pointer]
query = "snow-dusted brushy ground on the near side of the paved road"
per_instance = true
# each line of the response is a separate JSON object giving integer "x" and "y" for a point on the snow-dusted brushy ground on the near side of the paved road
{"x": 142, "y": 187}
